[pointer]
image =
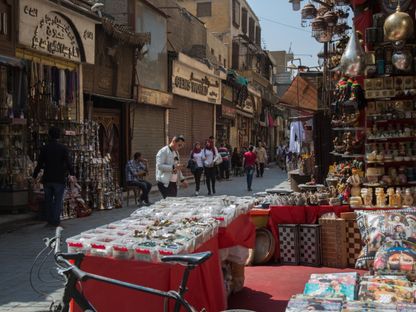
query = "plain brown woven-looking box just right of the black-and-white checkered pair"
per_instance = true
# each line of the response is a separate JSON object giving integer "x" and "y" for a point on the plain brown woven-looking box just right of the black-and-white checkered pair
{"x": 334, "y": 242}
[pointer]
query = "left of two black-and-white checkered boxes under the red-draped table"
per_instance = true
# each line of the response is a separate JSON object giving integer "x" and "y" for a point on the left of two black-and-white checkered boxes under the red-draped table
{"x": 289, "y": 243}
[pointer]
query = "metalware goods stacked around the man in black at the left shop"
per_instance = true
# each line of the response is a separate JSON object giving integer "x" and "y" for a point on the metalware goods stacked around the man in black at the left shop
{"x": 96, "y": 188}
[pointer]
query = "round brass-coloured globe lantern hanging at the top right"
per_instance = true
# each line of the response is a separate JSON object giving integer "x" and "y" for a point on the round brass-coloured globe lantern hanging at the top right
{"x": 398, "y": 26}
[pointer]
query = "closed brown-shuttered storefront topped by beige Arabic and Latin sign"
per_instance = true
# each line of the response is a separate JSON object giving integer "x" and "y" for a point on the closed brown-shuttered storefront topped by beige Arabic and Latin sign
{"x": 197, "y": 91}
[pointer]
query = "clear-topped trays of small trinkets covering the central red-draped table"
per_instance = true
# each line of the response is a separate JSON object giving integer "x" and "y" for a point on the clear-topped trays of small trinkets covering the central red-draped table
{"x": 170, "y": 226}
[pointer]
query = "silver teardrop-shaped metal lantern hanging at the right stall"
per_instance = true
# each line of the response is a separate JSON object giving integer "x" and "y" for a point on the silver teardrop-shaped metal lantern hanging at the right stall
{"x": 352, "y": 60}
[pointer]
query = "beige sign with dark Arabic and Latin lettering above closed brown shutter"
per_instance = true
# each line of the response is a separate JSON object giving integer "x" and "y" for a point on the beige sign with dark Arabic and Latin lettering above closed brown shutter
{"x": 195, "y": 84}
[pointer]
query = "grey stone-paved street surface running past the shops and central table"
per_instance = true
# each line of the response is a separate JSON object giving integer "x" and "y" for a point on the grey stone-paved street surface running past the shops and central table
{"x": 19, "y": 247}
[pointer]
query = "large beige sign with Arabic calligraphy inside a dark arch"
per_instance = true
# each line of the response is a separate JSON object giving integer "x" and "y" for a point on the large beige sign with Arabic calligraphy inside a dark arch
{"x": 44, "y": 28}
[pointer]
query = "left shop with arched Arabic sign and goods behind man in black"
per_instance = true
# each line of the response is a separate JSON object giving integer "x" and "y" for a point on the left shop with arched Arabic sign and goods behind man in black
{"x": 52, "y": 51}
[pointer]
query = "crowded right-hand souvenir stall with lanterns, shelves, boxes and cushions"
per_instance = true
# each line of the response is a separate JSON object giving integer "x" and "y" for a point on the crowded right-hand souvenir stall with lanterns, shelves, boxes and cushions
{"x": 365, "y": 214}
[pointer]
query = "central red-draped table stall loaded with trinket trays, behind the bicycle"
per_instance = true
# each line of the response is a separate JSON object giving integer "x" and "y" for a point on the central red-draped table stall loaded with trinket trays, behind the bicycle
{"x": 130, "y": 250}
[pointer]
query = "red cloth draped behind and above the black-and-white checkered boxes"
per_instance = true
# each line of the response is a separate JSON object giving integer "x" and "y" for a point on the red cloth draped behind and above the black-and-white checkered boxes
{"x": 297, "y": 215}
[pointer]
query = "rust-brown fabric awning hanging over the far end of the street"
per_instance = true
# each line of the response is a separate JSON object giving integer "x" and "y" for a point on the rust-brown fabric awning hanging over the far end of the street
{"x": 301, "y": 94}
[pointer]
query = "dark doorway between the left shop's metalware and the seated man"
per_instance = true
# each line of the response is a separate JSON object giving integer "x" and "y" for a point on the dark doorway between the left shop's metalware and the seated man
{"x": 109, "y": 136}
